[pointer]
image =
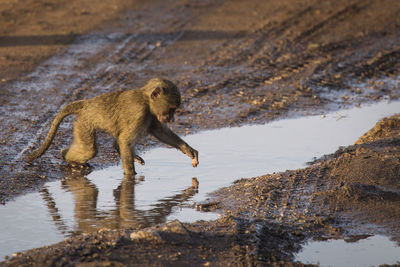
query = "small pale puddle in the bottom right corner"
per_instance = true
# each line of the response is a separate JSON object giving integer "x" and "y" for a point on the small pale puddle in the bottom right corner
{"x": 372, "y": 251}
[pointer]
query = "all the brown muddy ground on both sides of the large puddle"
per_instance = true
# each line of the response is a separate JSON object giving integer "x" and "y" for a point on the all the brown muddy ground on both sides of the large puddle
{"x": 236, "y": 62}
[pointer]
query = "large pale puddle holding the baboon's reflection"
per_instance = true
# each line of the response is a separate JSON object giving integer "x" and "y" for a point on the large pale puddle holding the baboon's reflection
{"x": 162, "y": 192}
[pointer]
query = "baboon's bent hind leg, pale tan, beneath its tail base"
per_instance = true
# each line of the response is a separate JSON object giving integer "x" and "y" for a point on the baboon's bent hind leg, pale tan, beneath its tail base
{"x": 83, "y": 145}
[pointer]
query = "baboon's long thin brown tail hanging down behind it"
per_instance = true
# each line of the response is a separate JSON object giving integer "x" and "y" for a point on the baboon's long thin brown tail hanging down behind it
{"x": 65, "y": 111}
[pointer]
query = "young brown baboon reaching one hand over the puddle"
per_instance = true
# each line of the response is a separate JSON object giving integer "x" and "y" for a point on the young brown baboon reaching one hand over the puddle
{"x": 125, "y": 115}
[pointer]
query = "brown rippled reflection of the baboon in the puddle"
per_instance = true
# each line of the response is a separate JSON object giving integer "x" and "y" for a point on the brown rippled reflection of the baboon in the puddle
{"x": 125, "y": 215}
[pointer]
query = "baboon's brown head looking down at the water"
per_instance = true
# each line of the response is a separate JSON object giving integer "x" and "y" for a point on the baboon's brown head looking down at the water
{"x": 165, "y": 98}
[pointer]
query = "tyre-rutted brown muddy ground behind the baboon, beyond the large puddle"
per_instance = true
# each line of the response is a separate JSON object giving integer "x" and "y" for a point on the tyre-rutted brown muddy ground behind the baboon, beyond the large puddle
{"x": 235, "y": 63}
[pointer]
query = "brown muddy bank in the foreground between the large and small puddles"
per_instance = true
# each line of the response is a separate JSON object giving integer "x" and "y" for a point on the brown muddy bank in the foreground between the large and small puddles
{"x": 349, "y": 194}
